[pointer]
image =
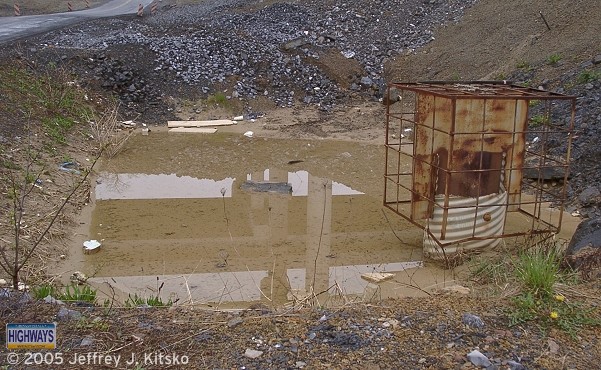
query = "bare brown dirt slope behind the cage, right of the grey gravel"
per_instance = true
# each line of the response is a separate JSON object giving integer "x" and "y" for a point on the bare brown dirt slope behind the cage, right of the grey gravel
{"x": 494, "y": 38}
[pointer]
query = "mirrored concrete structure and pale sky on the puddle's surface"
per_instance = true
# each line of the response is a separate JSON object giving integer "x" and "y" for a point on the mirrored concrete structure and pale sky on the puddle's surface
{"x": 254, "y": 246}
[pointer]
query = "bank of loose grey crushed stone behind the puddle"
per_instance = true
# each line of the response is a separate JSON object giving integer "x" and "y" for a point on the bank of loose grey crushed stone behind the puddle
{"x": 275, "y": 50}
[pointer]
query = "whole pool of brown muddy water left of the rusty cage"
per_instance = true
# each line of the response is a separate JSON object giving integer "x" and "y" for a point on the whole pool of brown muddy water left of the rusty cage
{"x": 175, "y": 220}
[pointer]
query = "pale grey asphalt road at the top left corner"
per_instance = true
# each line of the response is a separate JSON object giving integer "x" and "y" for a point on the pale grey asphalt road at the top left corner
{"x": 12, "y": 28}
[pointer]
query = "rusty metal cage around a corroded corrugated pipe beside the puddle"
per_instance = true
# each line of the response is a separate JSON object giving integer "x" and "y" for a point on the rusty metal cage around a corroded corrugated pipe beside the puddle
{"x": 457, "y": 155}
